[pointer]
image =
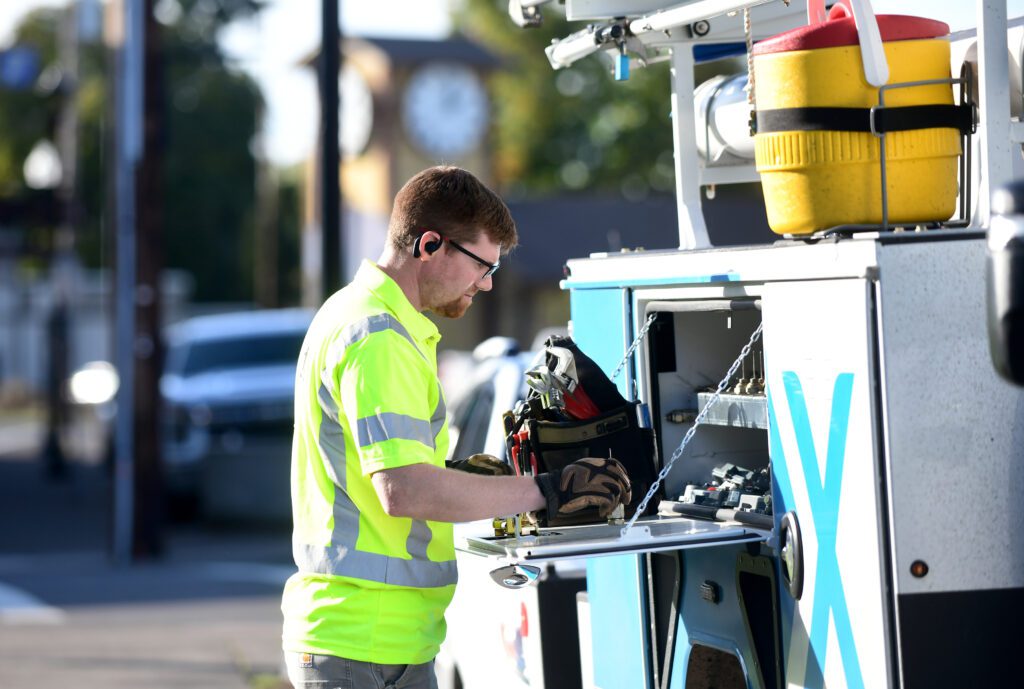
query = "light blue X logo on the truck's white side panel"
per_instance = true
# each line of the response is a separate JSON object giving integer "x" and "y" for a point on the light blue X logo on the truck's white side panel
{"x": 824, "y": 498}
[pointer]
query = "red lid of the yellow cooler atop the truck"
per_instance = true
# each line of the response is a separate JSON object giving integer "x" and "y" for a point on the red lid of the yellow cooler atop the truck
{"x": 840, "y": 30}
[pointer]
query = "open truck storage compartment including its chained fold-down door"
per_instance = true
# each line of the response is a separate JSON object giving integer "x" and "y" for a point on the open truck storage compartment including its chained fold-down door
{"x": 691, "y": 347}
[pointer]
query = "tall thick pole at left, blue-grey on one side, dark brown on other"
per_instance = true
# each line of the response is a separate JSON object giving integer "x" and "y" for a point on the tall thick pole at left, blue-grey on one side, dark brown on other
{"x": 139, "y": 506}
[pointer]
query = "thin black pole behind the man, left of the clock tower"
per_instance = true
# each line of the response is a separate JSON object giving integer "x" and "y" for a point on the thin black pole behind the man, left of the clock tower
{"x": 330, "y": 69}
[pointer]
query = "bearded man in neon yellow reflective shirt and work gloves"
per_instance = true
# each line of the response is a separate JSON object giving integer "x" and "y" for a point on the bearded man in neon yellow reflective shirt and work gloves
{"x": 373, "y": 502}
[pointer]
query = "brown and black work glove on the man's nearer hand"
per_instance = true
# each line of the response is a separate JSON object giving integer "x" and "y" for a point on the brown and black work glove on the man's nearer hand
{"x": 587, "y": 483}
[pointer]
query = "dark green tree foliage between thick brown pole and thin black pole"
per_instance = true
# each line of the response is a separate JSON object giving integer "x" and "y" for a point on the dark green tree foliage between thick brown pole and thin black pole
{"x": 211, "y": 118}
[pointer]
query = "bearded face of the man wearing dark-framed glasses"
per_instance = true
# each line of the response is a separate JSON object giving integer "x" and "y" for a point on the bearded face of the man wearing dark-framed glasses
{"x": 450, "y": 288}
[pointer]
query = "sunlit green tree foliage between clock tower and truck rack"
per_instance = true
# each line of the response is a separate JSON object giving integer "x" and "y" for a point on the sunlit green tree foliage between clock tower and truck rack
{"x": 575, "y": 128}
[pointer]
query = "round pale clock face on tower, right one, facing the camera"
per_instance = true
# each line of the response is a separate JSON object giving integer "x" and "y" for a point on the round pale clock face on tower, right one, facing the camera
{"x": 445, "y": 110}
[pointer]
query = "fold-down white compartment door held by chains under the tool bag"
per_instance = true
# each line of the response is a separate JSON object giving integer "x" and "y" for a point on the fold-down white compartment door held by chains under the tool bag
{"x": 648, "y": 536}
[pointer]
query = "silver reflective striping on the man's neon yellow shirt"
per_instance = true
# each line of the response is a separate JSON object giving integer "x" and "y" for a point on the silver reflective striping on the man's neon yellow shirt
{"x": 343, "y": 558}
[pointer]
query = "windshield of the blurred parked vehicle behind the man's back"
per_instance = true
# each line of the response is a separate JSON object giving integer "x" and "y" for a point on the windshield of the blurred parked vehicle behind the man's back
{"x": 242, "y": 353}
